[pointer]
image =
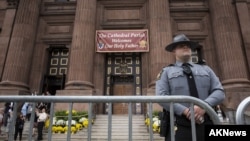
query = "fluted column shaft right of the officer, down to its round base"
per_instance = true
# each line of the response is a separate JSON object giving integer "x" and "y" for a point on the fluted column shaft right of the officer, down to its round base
{"x": 228, "y": 44}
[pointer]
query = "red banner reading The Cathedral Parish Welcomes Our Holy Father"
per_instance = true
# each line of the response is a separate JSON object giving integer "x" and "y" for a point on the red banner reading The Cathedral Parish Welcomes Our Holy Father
{"x": 122, "y": 41}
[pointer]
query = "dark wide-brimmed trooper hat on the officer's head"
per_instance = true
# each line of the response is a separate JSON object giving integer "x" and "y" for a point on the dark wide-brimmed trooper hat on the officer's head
{"x": 181, "y": 39}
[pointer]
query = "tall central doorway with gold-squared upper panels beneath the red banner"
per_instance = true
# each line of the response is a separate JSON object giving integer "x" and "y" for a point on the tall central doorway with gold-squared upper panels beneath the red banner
{"x": 123, "y": 78}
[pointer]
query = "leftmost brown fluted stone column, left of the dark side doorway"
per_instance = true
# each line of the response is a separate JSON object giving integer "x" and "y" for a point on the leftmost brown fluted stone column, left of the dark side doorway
{"x": 19, "y": 56}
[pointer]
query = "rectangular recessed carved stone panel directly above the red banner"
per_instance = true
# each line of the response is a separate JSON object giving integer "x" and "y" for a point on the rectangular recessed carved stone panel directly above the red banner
{"x": 123, "y": 14}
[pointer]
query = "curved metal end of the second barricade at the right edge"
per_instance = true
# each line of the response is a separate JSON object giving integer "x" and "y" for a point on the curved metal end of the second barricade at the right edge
{"x": 240, "y": 111}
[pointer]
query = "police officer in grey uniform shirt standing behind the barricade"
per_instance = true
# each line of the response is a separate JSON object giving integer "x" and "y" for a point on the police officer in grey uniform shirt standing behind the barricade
{"x": 172, "y": 80}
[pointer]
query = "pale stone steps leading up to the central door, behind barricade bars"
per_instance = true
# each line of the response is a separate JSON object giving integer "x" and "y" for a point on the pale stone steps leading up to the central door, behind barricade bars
{"x": 119, "y": 131}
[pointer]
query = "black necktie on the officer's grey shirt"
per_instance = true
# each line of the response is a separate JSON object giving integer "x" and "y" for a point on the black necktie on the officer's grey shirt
{"x": 190, "y": 78}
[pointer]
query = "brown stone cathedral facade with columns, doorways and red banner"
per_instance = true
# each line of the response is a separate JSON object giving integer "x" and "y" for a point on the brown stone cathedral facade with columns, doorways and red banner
{"x": 55, "y": 45}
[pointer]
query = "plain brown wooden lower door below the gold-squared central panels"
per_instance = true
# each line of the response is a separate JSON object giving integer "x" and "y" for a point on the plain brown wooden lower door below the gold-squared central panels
{"x": 122, "y": 90}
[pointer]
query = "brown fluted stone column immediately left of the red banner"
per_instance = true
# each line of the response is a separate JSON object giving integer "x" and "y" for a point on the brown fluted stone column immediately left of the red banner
{"x": 82, "y": 50}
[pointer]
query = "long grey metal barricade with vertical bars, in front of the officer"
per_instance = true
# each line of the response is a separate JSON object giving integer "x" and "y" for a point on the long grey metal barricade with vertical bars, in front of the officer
{"x": 150, "y": 100}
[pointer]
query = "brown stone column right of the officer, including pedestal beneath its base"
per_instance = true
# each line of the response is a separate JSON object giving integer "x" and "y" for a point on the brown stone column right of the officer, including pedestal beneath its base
{"x": 228, "y": 45}
